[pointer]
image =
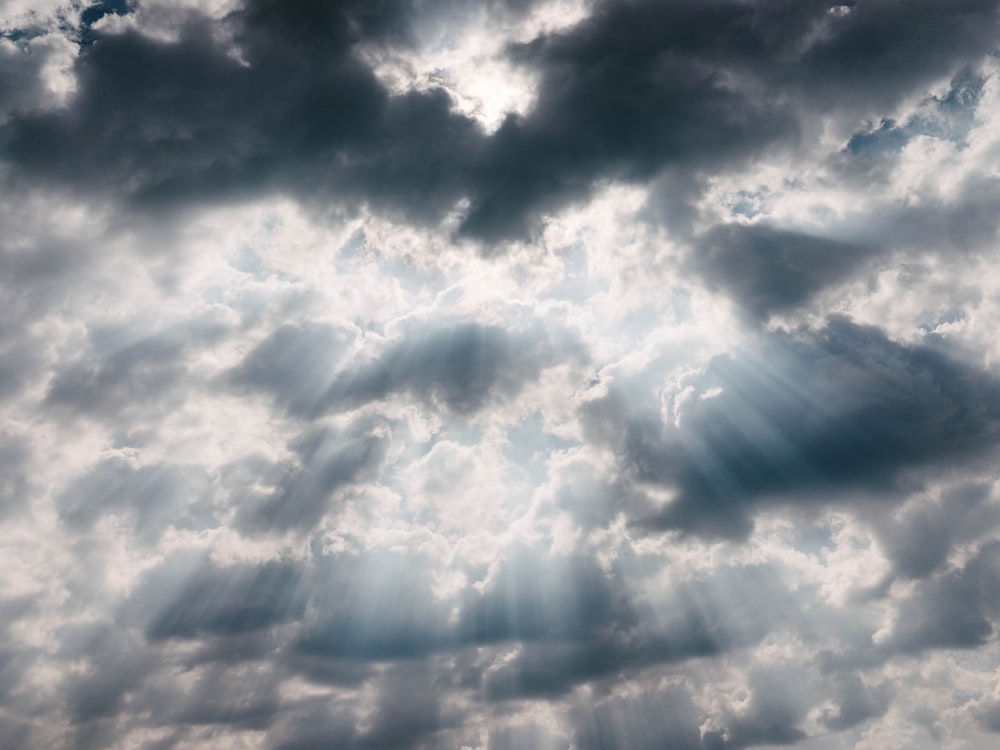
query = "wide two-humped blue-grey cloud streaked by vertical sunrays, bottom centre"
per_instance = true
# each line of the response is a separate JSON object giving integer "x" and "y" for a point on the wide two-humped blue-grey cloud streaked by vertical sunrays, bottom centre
{"x": 386, "y": 608}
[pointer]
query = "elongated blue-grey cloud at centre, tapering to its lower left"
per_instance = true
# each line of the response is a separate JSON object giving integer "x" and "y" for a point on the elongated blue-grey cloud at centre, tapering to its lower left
{"x": 462, "y": 368}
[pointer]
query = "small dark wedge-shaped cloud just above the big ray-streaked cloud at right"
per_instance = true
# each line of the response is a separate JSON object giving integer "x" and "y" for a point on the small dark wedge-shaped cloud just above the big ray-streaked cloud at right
{"x": 766, "y": 270}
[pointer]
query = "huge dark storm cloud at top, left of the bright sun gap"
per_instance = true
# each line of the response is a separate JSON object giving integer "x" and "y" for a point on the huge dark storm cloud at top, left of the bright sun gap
{"x": 163, "y": 124}
